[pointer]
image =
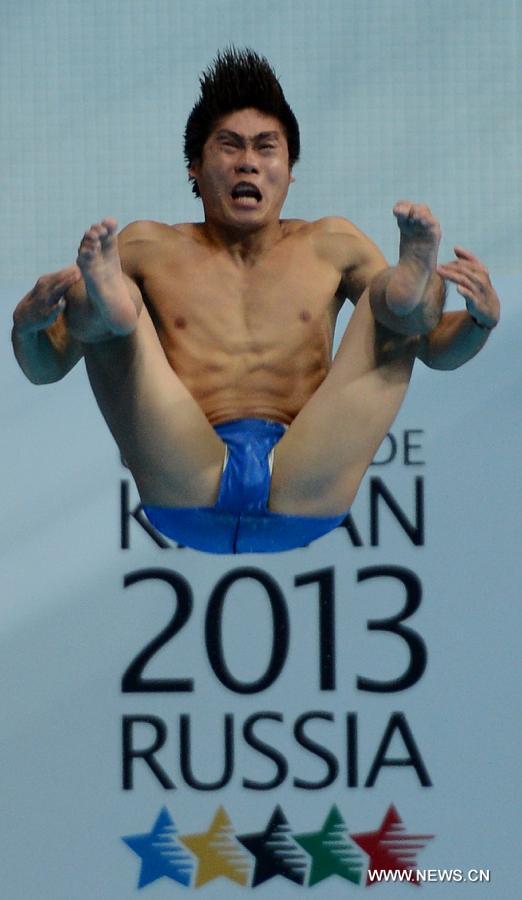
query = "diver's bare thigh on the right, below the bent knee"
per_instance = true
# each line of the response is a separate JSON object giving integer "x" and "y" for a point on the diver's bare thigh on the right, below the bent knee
{"x": 320, "y": 461}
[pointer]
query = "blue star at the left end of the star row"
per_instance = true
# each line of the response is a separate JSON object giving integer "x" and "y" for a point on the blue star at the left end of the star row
{"x": 161, "y": 853}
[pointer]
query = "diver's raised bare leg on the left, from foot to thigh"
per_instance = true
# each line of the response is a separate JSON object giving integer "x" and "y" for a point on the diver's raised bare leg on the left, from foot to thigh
{"x": 171, "y": 449}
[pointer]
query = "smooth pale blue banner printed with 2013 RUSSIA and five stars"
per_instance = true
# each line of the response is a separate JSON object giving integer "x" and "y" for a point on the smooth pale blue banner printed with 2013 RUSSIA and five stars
{"x": 327, "y": 718}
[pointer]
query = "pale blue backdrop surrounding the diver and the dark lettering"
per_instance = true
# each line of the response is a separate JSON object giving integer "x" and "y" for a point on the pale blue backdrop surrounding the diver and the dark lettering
{"x": 395, "y": 98}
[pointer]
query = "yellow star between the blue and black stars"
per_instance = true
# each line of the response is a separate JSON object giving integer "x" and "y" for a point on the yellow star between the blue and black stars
{"x": 218, "y": 852}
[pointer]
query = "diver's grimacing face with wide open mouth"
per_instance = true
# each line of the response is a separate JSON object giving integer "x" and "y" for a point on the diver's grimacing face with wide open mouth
{"x": 244, "y": 173}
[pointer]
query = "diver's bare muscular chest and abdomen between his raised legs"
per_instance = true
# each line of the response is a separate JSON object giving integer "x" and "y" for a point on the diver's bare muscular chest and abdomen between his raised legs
{"x": 247, "y": 339}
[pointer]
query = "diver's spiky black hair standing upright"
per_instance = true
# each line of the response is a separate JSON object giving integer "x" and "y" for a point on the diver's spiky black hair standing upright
{"x": 237, "y": 79}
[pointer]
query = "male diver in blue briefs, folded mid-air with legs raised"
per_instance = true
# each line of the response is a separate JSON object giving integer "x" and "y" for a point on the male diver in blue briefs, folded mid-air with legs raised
{"x": 209, "y": 345}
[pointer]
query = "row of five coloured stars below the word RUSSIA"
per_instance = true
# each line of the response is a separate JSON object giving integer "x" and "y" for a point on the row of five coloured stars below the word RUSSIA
{"x": 252, "y": 859}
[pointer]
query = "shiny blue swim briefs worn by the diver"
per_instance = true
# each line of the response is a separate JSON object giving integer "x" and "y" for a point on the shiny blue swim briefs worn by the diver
{"x": 241, "y": 522}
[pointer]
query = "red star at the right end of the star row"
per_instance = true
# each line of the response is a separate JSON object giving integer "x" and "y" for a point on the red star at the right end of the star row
{"x": 390, "y": 848}
